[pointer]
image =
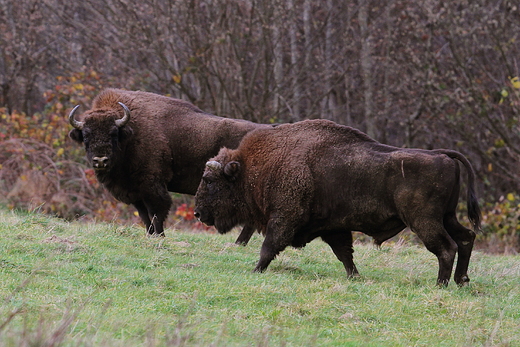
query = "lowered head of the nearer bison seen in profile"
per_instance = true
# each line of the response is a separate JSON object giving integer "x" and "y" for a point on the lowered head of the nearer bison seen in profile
{"x": 218, "y": 200}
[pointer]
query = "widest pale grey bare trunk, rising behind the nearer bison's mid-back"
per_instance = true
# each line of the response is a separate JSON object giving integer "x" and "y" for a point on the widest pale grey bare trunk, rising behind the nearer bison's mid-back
{"x": 366, "y": 68}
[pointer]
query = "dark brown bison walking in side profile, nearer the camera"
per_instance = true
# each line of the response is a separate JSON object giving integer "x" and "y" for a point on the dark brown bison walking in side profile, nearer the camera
{"x": 316, "y": 178}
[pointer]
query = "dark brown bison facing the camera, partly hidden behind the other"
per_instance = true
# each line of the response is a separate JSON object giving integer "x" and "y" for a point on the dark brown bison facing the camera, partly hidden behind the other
{"x": 143, "y": 145}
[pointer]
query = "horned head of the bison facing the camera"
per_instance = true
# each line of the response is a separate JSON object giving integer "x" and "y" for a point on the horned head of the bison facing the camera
{"x": 103, "y": 133}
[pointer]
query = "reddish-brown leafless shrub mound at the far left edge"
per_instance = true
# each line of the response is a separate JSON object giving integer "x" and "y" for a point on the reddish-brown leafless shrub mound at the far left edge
{"x": 33, "y": 176}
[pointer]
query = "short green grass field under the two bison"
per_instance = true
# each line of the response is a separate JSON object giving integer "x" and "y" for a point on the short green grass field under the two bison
{"x": 73, "y": 284}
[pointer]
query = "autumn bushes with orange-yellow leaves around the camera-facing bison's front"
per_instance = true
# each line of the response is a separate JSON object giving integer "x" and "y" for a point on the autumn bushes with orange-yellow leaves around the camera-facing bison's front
{"x": 42, "y": 169}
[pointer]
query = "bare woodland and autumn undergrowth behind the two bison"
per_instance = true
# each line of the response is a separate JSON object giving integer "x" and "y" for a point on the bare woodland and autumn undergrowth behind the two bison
{"x": 426, "y": 73}
